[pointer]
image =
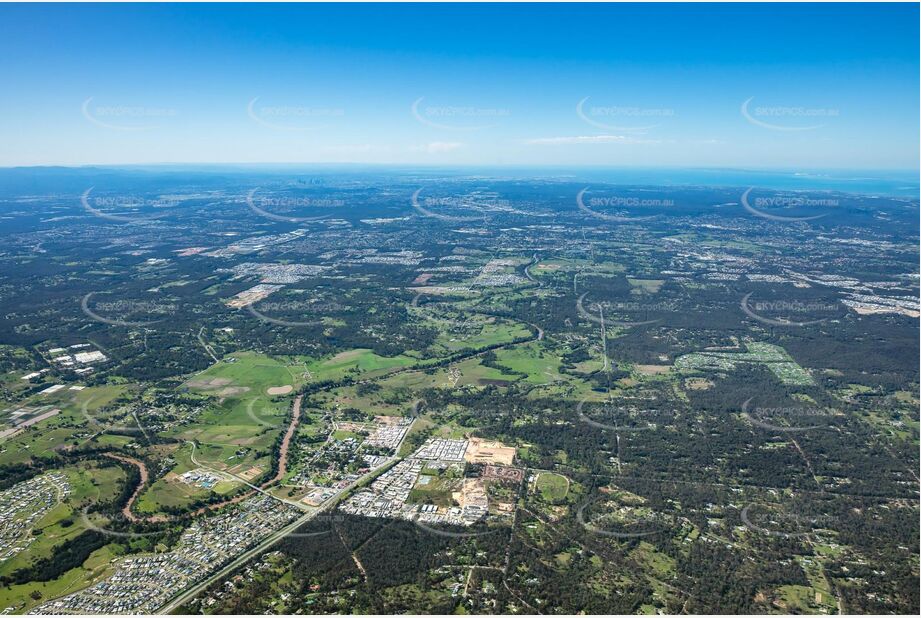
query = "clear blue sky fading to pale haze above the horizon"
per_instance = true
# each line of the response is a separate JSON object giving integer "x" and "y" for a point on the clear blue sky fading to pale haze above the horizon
{"x": 826, "y": 86}
